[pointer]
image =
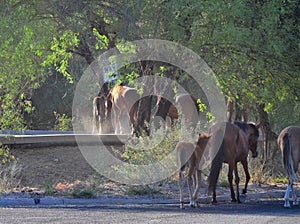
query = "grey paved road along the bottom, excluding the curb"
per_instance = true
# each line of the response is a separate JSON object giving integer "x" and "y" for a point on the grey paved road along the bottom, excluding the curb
{"x": 254, "y": 212}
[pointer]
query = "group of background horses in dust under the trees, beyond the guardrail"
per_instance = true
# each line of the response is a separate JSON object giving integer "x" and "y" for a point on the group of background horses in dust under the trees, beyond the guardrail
{"x": 120, "y": 109}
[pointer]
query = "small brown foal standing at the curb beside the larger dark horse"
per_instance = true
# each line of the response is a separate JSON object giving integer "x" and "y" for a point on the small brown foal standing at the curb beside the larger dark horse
{"x": 190, "y": 154}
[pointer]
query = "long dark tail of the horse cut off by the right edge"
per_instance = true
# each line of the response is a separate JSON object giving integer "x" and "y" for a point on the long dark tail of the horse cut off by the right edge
{"x": 287, "y": 158}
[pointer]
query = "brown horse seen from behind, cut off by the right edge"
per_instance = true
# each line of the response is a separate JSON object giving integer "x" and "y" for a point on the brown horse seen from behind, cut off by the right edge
{"x": 289, "y": 144}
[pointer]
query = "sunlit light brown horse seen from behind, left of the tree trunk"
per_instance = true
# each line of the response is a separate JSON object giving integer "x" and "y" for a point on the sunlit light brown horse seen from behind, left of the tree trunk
{"x": 123, "y": 100}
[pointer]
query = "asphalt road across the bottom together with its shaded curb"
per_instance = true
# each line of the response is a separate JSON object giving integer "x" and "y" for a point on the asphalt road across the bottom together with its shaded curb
{"x": 120, "y": 210}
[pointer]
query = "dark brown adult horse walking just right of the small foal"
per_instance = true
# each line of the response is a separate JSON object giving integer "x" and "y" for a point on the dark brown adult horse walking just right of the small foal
{"x": 236, "y": 140}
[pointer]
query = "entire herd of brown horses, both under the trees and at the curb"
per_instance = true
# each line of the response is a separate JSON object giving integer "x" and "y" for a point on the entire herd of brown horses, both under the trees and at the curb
{"x": 225, "y": 142}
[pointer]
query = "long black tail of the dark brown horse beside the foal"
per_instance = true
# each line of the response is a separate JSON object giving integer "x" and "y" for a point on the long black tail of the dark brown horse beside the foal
{"x": 216, "y": 166}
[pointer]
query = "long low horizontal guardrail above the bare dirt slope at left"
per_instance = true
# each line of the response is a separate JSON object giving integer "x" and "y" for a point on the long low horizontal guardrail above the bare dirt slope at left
{"x": 61, "y": 139}
